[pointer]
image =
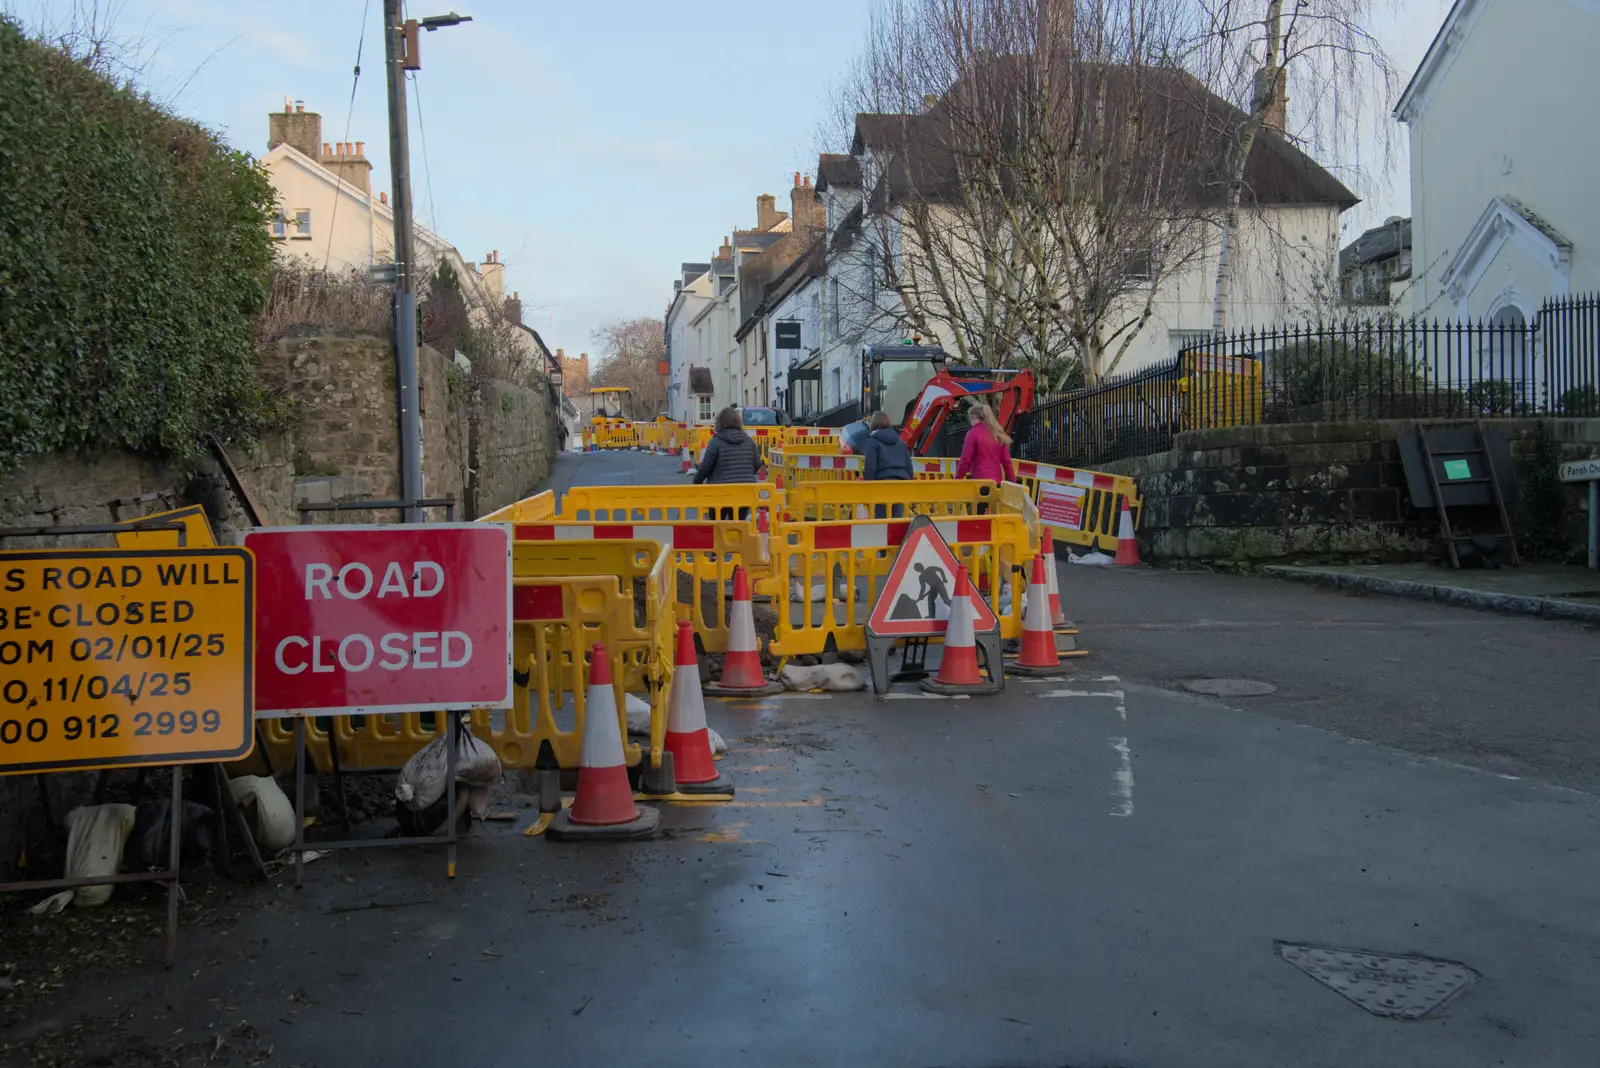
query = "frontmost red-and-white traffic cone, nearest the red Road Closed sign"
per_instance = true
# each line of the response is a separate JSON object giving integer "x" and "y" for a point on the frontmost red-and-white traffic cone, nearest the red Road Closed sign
{"x": 604, "y": 808}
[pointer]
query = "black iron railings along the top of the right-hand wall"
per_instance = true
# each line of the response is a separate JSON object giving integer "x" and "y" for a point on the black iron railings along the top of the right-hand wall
{"x": 1334, "y": 373}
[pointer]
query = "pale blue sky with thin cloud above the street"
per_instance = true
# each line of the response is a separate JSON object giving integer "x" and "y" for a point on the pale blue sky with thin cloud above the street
{"x": 596, "y": 145}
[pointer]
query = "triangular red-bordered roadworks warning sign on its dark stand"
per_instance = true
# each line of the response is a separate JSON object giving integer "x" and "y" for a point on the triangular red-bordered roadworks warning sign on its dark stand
{"x": 916, "y": 607}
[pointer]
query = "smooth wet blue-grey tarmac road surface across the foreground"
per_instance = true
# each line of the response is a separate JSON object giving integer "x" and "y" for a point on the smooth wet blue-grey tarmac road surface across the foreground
{"x": 1086, "y": 872}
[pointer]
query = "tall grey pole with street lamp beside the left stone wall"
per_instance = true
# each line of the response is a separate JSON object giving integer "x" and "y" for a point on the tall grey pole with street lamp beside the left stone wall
{"x": 401, "y": 54}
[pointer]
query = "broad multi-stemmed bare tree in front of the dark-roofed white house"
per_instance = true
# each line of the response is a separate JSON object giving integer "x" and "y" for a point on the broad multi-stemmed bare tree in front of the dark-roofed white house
{"x": 1042, "y": 177}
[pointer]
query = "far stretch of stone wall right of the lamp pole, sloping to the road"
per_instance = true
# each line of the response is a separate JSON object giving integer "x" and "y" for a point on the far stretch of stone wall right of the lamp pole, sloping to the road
{"x": 513, "y": 444}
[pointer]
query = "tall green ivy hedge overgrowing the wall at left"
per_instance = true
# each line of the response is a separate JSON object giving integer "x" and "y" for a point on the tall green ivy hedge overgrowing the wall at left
{"x": 134, "y": 255}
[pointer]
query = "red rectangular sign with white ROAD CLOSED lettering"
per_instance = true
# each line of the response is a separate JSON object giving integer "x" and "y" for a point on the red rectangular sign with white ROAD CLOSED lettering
{"x": 361, "y": 620}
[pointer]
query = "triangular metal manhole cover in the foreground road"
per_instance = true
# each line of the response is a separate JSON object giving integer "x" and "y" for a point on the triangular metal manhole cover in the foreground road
{"x": 1385, "y": 984}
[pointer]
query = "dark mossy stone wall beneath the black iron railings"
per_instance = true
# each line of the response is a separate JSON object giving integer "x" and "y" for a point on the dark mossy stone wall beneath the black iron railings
{"x": 1244, "y": 496}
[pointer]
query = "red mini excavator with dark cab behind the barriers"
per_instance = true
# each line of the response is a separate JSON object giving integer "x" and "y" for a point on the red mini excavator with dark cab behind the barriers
{"x": 922, "y": 391}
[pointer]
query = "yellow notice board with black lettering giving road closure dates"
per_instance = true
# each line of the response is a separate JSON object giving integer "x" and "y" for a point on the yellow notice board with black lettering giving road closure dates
{"x": 113, "y": 658}
